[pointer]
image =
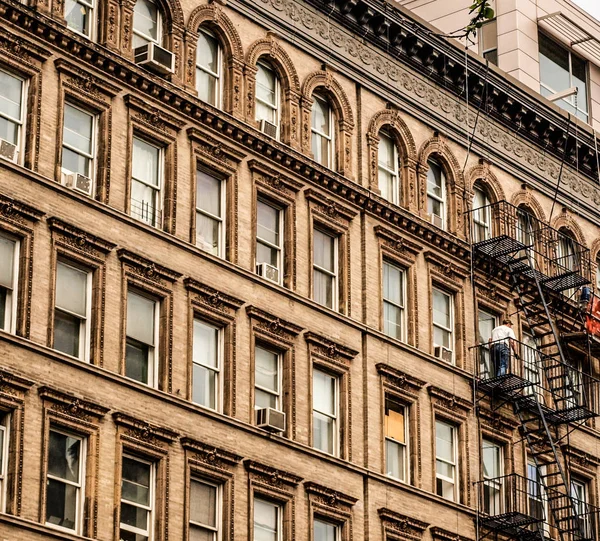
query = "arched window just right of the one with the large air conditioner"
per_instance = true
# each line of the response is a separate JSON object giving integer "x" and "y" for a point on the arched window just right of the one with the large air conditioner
{"x": 209, "y": 68}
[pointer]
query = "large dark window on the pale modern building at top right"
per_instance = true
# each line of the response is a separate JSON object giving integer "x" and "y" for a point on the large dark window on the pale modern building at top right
{"x": 560, "y": 70}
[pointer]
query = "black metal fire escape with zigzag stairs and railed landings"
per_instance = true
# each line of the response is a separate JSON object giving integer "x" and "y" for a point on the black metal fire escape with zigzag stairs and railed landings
{"x": 543, "y": 380}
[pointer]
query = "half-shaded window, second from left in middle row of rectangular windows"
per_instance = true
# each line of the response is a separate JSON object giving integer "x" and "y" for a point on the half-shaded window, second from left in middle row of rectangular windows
{"x": 72, "y": 310}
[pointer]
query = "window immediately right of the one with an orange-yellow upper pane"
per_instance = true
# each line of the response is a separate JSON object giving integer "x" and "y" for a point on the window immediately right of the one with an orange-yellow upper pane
{"x": 446, "y": 460}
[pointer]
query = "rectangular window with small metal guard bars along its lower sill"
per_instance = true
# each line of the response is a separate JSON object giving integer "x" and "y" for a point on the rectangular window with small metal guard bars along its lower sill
{"x": 146, "y": 182}
